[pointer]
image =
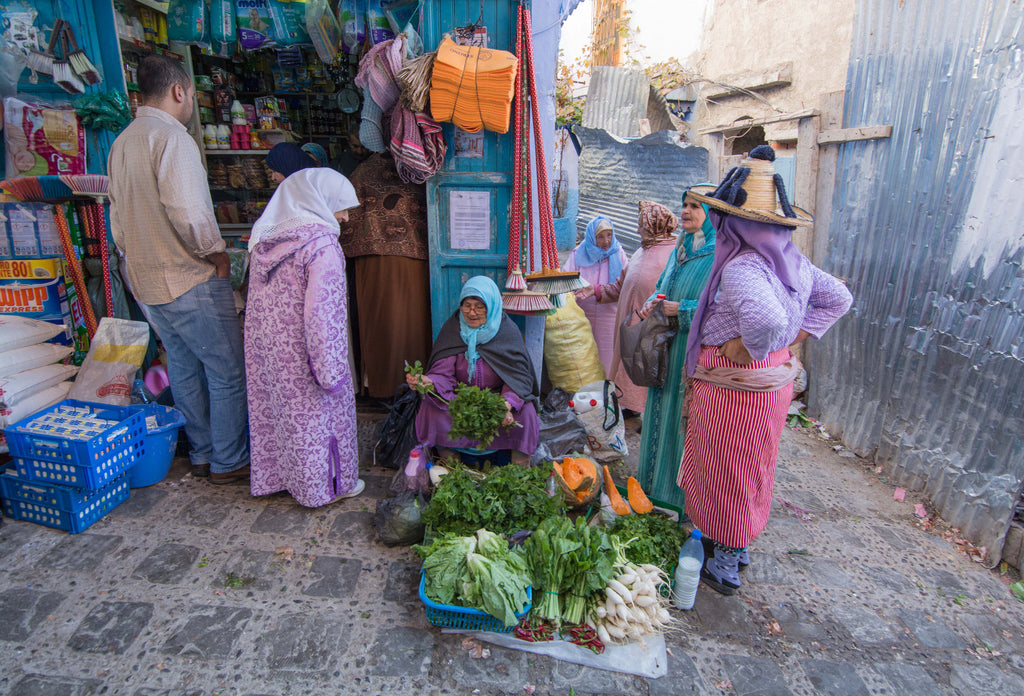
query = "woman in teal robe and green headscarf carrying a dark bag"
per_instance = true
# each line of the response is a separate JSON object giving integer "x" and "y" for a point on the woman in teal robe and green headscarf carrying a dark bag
{"x": 682, "y": 282}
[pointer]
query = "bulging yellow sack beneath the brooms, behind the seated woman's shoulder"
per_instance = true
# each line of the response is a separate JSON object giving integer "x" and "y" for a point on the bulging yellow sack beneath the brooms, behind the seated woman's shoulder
{"x": 570, "y": 351}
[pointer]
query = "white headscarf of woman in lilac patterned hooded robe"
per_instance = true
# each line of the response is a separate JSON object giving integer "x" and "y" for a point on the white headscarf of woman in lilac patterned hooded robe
{"x": 308, "y": 196}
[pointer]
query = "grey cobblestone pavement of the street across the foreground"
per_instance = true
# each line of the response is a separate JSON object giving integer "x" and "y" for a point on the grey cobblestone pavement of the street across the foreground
{"x": 190, "y": 589}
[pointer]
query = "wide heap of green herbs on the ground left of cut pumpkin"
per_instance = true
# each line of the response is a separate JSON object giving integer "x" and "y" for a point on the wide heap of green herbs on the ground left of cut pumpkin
{"x": 507, "y": 500}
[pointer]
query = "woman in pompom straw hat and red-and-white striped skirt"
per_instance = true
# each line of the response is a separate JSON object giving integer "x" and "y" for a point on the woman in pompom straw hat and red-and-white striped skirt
{"x": 763, "y": 298}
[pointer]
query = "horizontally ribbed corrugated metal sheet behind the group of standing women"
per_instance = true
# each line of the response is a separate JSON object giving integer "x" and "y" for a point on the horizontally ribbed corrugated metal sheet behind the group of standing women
{"x": 616, "y": 176}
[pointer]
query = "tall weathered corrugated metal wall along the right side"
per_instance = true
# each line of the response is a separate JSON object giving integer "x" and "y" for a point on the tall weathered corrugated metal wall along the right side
{"x": 928, "y": 370}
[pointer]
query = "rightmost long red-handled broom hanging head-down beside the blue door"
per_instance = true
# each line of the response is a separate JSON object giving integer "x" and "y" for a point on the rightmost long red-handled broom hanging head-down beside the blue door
{"x": 549, "y": 280}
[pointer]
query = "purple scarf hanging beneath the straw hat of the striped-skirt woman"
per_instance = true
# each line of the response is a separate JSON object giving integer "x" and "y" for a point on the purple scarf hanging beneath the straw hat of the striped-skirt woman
{"x": 774, "y": 243}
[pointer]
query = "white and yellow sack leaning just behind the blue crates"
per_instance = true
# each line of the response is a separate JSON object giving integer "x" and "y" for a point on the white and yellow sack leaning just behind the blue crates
{"x": 115, "y": 355}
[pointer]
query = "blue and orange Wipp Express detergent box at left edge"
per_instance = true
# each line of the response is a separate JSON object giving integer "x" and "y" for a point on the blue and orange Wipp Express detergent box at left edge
{"x": 38, "y": 289}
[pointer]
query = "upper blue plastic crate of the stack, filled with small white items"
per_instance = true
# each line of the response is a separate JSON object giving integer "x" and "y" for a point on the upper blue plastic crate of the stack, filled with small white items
{"x": 77, "y": 444}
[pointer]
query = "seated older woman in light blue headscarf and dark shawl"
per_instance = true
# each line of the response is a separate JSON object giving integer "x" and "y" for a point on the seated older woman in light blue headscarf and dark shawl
{"x": 481, "y": 346}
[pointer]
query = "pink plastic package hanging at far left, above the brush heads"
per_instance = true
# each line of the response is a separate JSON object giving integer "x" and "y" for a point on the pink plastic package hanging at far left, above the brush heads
{"x": 40, "y": 140}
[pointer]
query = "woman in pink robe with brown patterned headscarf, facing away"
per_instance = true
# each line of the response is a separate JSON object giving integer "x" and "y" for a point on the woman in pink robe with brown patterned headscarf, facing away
{"x": 637, "y": 284}
